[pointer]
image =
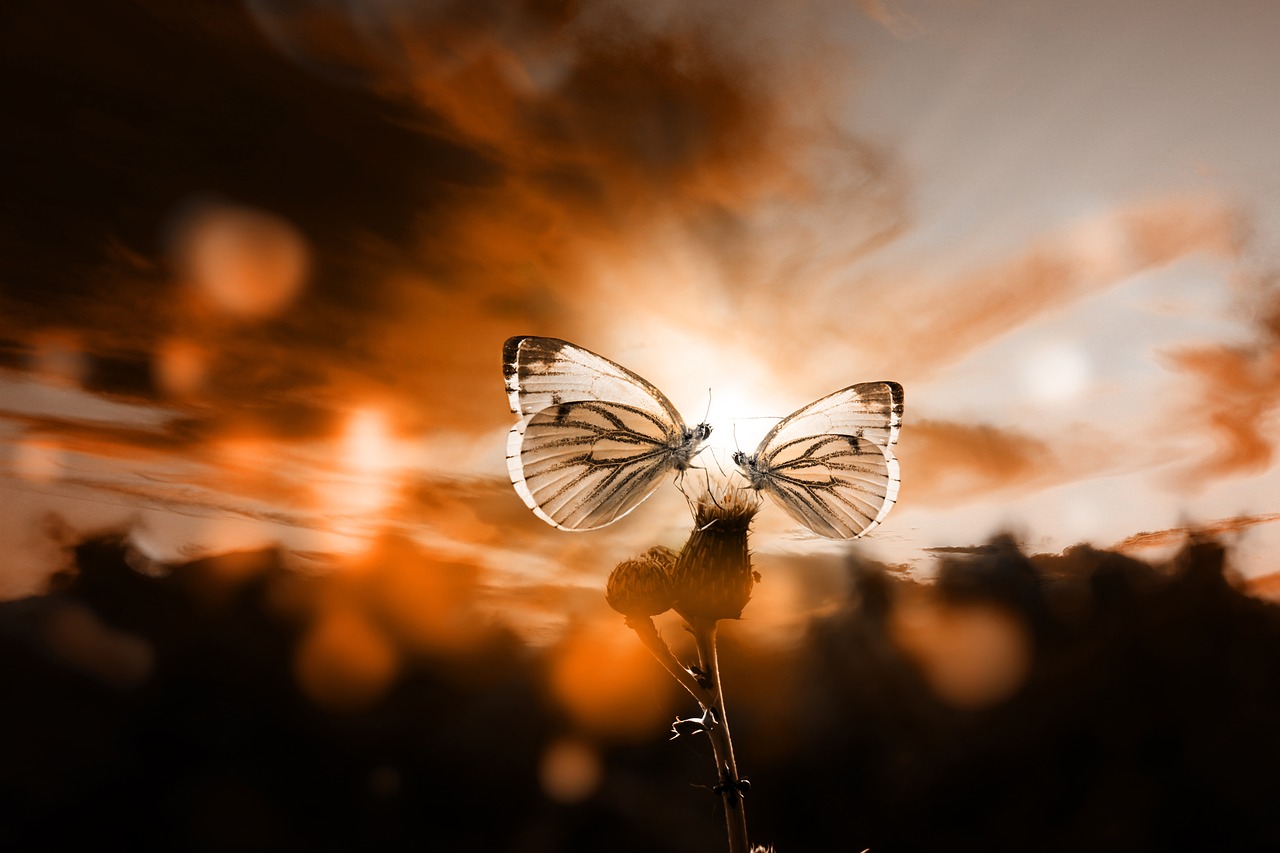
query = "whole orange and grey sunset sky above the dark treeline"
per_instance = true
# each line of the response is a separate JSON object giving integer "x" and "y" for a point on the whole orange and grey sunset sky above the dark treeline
{"x": 259, "y": 262}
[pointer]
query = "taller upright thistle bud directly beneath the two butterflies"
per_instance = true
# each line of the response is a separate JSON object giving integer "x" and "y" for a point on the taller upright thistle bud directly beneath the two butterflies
{"x": 712, "y": 577}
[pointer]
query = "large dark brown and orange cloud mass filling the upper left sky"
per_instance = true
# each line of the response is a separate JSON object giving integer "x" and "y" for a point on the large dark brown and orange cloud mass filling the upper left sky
{"x": 452, "y": 170}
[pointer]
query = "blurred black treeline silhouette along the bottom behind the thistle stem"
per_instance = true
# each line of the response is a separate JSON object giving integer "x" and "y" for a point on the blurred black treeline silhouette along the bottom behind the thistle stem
{"x": 148, "y": 710}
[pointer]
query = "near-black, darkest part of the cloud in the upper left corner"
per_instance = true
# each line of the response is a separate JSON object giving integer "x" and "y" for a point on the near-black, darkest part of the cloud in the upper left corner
{"x": 131, "y": 111}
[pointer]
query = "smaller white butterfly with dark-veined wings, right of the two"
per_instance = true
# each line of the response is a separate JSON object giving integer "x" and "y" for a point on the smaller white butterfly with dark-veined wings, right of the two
{"x": 830, "y": 466}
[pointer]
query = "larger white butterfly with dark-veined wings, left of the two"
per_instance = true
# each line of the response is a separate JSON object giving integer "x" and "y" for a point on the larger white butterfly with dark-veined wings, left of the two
{"x": 593, "y": 440}
